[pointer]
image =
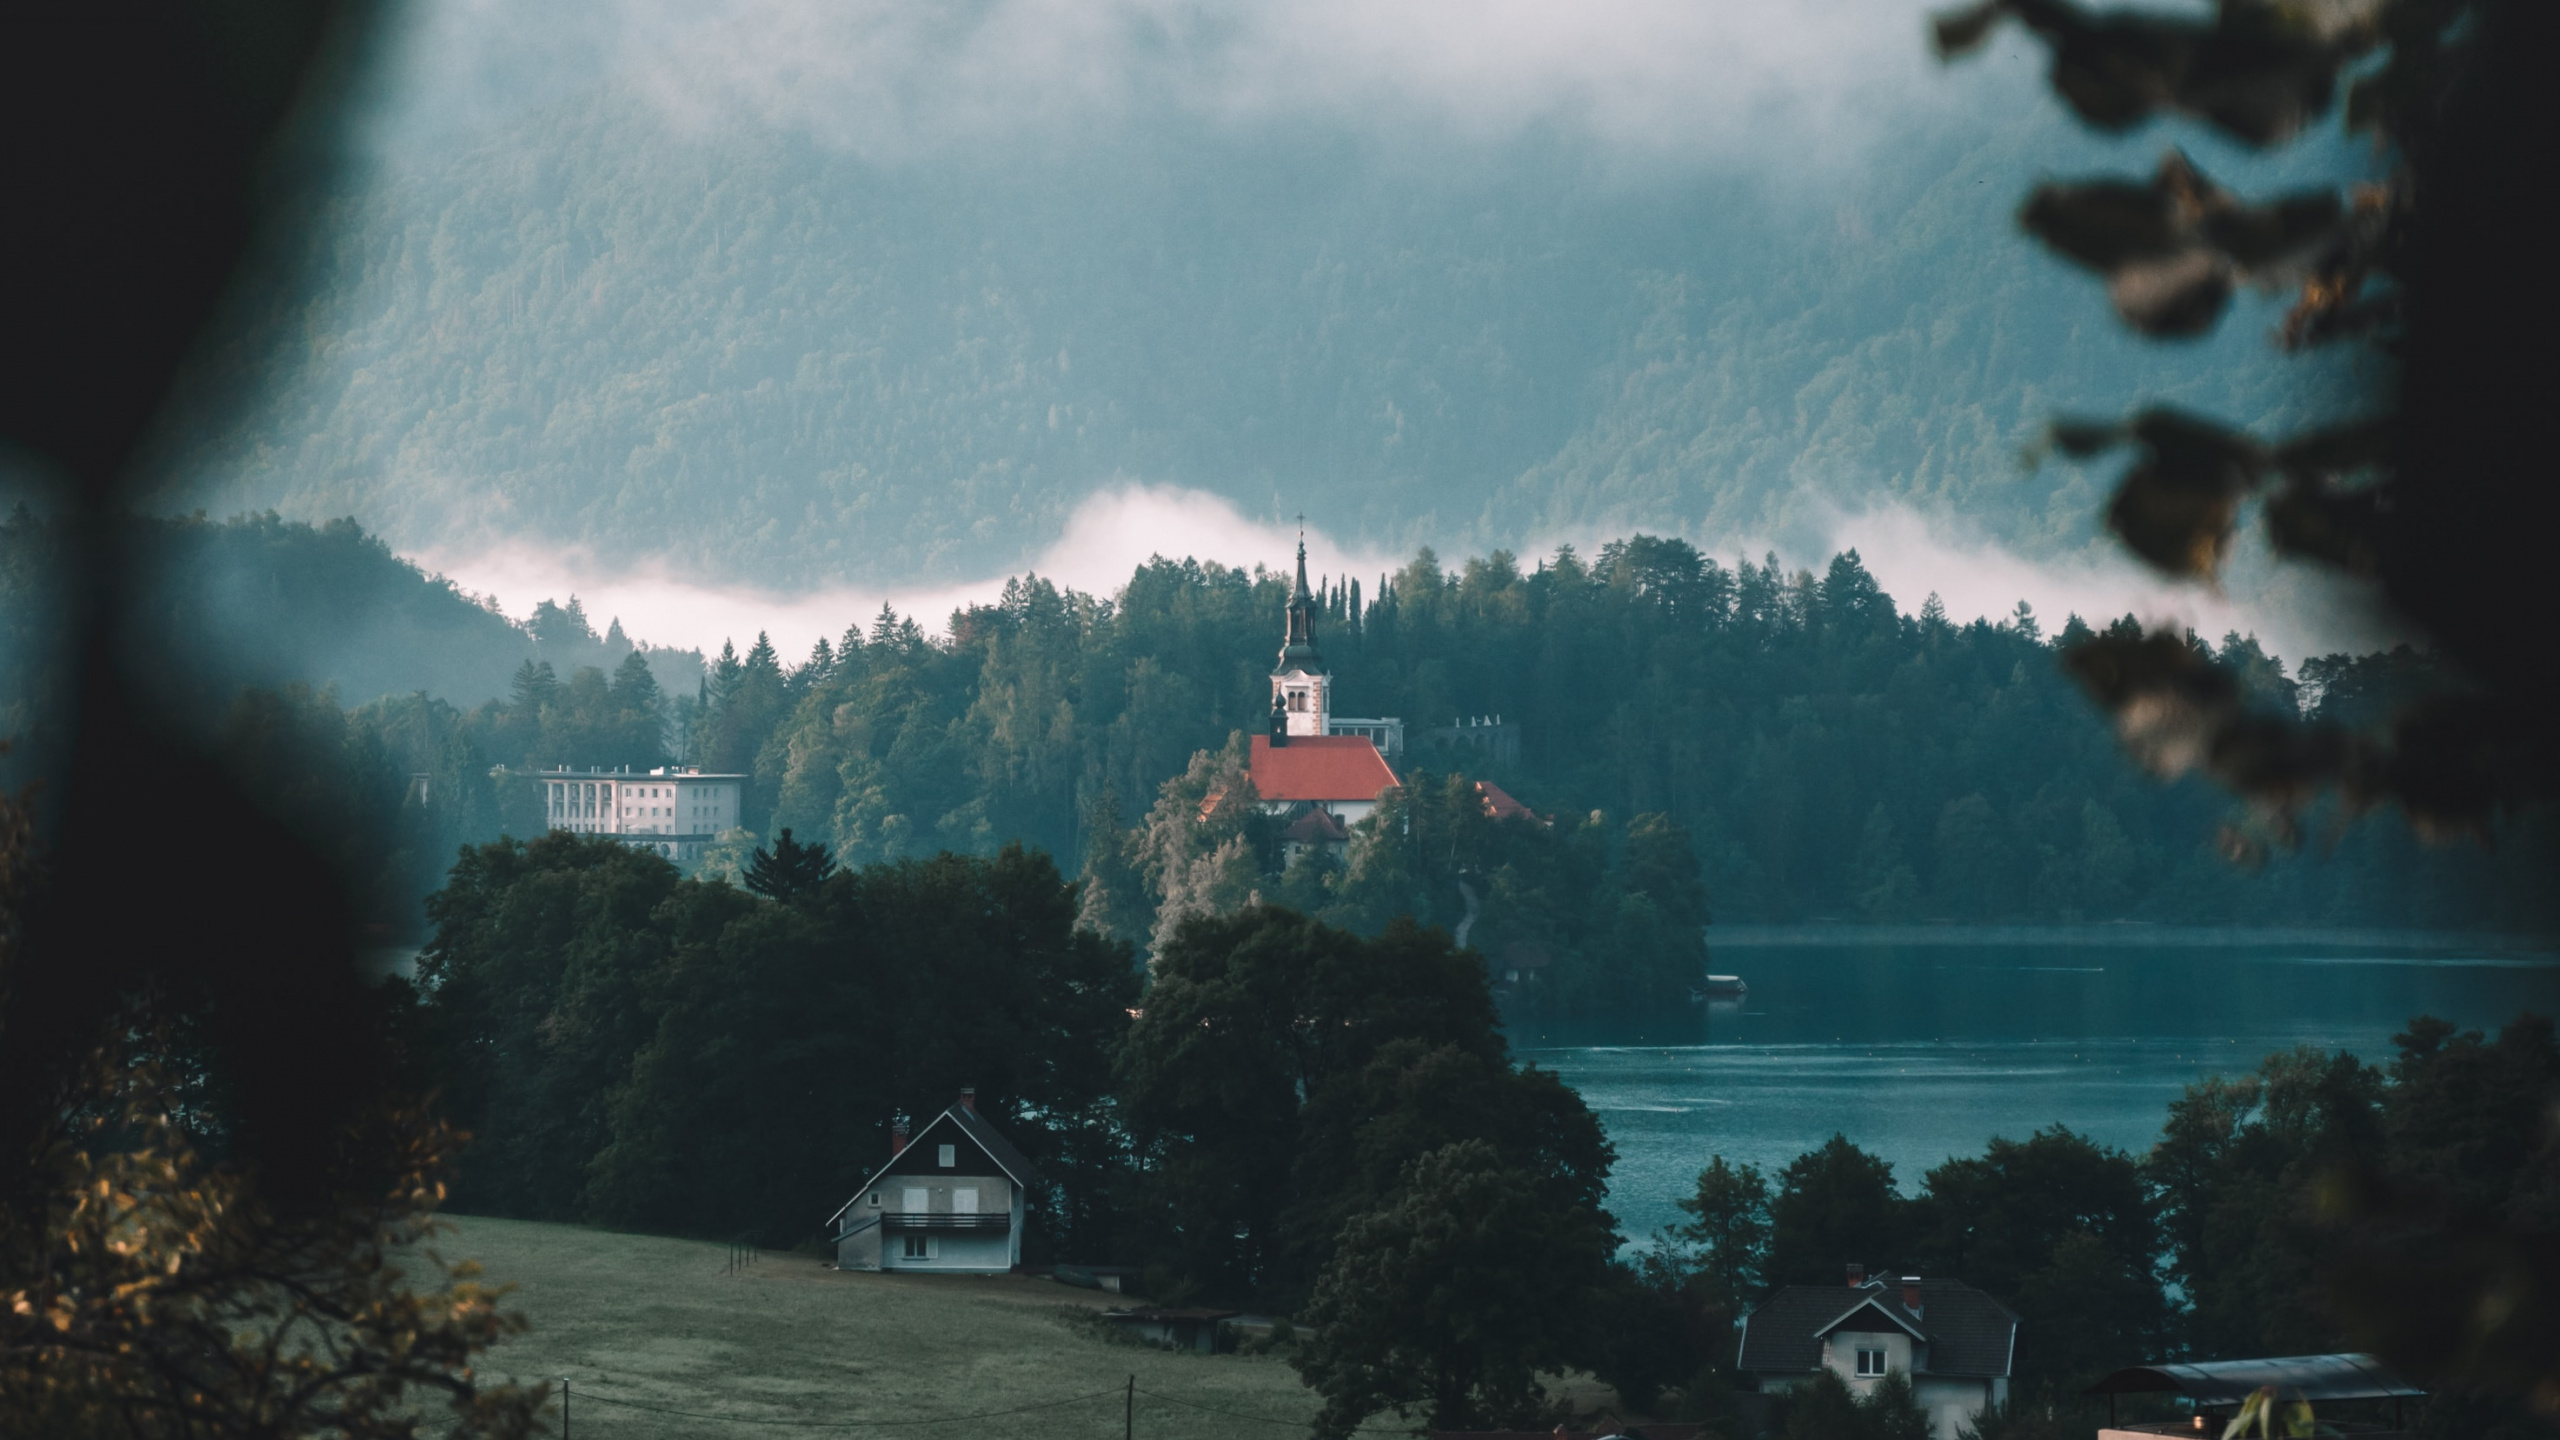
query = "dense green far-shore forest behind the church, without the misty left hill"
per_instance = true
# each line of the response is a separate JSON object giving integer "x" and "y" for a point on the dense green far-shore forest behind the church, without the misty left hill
{"x": 1824, "y": 752}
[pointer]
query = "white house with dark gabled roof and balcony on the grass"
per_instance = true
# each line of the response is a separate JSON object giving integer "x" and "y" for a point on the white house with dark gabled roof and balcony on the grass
{"x": 954, "y": 1198}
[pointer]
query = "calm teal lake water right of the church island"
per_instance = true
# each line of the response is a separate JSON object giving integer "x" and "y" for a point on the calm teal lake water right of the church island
{"x": 1924, "y": 1044}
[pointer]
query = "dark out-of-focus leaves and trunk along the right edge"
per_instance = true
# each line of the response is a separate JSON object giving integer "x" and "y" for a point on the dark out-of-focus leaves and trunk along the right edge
{"x": 2436, "y": 501}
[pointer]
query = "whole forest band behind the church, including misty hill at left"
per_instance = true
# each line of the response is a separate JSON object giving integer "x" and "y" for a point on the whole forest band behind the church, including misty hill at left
{"x": 1798, "y": 747}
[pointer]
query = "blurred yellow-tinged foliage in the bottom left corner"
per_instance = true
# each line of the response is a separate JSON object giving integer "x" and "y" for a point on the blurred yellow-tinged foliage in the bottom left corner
{"x": 147, "y": 1288}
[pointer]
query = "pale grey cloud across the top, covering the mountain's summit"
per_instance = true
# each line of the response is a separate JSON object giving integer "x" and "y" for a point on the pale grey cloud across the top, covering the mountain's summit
{"x": 1645, "y": 81}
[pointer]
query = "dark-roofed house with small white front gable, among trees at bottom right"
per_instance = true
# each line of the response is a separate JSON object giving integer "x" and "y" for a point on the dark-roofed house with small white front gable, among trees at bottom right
{"x": 1952, "y": 1341}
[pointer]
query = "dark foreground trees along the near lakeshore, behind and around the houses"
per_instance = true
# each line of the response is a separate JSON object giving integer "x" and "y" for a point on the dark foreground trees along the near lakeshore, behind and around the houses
{"x": 1332, "y": 1126}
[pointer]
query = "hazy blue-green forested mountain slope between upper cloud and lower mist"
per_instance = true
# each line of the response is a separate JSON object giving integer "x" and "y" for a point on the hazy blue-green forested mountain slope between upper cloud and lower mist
{"x": 767, "y": 360}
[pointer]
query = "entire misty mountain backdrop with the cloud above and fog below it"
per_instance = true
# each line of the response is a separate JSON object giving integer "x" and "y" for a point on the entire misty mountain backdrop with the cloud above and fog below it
{"x": 879, "y": 306}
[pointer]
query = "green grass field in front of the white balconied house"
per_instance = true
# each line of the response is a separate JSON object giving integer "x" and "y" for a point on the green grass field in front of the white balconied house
{"x": 797, "y": 1349}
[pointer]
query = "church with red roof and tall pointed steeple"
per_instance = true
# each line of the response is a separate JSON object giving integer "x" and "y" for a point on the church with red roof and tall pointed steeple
{"x": 1317, "y": 770}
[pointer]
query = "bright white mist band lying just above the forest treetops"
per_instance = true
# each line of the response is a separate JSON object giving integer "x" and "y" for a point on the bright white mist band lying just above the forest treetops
{"x": 1117, "y": 532}
